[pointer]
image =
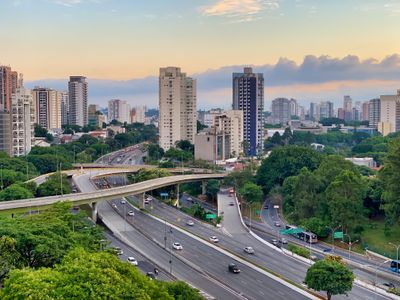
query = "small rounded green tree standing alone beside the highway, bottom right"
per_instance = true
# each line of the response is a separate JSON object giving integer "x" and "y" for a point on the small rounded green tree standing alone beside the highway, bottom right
{"x": 330, "y": 276}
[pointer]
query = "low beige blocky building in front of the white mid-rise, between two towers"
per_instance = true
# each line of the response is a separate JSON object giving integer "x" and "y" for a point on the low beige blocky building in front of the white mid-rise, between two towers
{"x": 212, "y": 144}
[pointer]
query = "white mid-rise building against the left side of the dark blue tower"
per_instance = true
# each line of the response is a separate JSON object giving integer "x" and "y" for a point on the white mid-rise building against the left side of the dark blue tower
{"x": 231, "y": 122}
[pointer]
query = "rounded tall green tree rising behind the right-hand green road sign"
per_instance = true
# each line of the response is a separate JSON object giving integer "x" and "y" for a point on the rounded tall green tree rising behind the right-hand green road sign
{"x": 345, "y": 199}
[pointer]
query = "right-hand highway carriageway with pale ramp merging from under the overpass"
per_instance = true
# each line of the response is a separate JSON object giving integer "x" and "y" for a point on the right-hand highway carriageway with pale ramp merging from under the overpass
{"x": 234, "y": 237}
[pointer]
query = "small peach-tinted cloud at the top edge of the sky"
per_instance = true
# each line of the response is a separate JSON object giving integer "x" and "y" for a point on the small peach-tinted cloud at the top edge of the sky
{"x": 244, "y": 10}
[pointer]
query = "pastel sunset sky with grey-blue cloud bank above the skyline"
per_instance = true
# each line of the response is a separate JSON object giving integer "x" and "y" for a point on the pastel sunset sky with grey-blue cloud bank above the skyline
{"x": 310, "y": 50}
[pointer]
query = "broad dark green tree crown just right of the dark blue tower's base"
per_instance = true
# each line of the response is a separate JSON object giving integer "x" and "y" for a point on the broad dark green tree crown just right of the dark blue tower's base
{"x": 284, "y": 162}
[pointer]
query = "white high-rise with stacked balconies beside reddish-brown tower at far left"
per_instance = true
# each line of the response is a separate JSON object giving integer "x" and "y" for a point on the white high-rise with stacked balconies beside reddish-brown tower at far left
{"x": 22, "y": 116}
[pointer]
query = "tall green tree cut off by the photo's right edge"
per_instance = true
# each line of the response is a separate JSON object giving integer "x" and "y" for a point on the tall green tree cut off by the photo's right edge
{"x": 390, "y": 177}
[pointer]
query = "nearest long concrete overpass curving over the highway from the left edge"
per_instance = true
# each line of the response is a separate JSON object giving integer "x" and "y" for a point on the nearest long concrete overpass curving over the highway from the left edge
{"x": 102, "y": 195}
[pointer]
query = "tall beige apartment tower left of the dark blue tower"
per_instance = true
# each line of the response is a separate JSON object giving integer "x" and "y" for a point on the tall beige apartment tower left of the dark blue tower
{"x": 177, "y": 100}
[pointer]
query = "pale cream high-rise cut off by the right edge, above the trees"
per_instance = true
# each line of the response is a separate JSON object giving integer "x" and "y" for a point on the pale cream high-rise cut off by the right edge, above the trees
{"x": 390, "y": 114}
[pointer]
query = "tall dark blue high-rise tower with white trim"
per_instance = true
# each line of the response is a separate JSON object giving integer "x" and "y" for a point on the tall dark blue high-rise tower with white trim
{"x": 248, "y": 96}
